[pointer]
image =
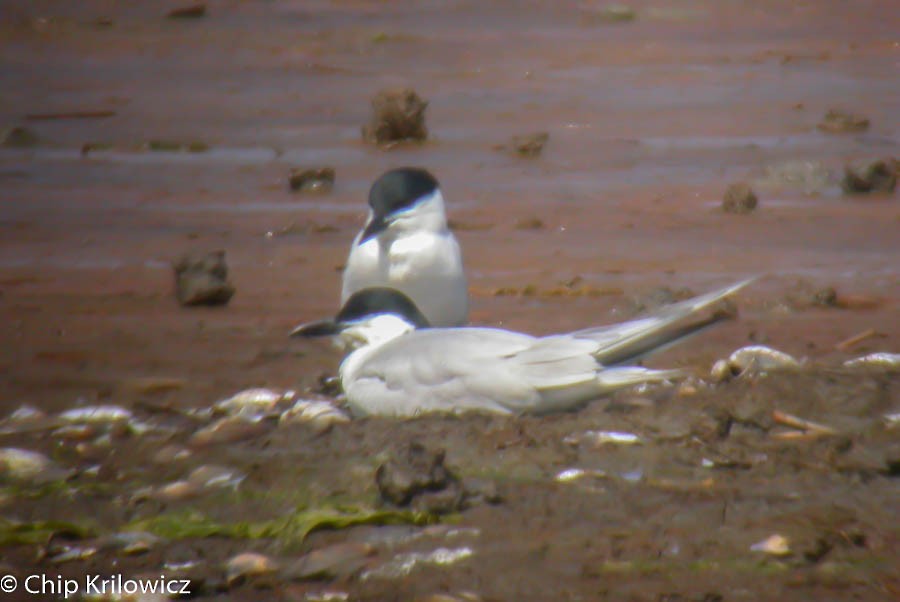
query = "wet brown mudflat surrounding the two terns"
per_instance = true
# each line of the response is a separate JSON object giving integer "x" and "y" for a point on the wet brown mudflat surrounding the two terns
{"x": 649, "y": 120}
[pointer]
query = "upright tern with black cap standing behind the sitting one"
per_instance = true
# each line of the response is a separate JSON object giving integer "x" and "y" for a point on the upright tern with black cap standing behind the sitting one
{"x": 406, "y": 245}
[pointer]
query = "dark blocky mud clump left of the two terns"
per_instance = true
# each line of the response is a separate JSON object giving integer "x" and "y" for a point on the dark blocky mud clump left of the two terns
{"x": 202, "y": 279}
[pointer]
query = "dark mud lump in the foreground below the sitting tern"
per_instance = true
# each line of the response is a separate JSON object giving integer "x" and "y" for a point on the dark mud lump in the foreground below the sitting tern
{"x": 416, "y": 476}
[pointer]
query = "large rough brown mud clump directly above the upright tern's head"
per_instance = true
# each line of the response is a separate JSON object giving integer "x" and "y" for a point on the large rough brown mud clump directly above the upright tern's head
{"x": 397, "y": 116}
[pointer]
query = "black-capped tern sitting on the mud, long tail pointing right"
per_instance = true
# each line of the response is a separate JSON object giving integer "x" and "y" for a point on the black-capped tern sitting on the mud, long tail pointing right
{"x": 401, "y": 367}
